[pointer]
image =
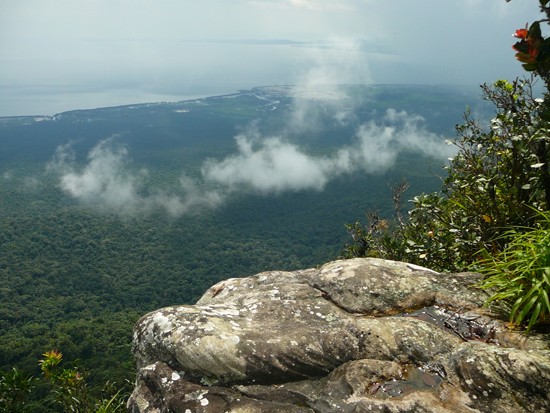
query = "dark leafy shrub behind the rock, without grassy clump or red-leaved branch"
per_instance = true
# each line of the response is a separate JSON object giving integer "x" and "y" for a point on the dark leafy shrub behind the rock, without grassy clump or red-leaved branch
{"x": 498, "y": 176}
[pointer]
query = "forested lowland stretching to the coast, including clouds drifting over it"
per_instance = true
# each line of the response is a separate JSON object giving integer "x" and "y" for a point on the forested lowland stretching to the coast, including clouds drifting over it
{"x": 107, "y": 214}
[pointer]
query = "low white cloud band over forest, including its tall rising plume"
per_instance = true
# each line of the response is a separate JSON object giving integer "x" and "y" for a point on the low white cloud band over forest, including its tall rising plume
{"x": 266, "y": 164}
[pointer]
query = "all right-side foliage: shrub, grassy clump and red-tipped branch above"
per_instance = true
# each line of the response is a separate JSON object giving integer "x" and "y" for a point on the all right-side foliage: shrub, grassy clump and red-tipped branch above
{"x": 495, "y": 199}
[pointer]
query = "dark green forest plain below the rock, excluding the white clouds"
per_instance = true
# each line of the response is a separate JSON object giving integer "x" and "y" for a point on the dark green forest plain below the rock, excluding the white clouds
{"x": 75, "y": 276}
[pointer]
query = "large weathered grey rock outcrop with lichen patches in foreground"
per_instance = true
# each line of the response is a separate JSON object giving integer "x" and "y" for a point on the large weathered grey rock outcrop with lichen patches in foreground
{"x": 361, "y": 335}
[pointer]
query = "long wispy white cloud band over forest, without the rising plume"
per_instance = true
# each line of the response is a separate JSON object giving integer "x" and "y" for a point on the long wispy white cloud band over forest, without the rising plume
{"x": 263, "y": 165}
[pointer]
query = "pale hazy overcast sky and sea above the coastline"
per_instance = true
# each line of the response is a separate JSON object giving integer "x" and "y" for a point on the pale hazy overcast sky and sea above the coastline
{"x": 58, "y": 55}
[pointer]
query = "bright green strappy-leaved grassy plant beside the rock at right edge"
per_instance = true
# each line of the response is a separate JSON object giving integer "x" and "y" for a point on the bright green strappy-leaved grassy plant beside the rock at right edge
{"x": 519, "y": 276}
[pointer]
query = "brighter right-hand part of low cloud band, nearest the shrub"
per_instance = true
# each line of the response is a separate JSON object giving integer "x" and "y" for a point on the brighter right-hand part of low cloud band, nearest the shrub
{"x": 273, "y": 165}
